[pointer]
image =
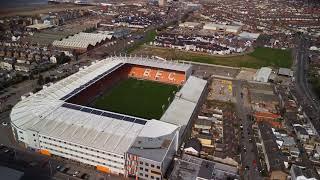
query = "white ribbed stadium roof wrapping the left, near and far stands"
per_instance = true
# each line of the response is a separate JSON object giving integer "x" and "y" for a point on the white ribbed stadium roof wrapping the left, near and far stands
{"x": 47, "y": 112}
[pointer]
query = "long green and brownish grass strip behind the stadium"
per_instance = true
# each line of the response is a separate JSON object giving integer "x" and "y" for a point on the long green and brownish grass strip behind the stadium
{"x": 257, "y": 59}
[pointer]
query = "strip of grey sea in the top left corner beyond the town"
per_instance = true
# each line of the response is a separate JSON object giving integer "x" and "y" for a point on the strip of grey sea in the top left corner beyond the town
{"x": 21, "y": 3}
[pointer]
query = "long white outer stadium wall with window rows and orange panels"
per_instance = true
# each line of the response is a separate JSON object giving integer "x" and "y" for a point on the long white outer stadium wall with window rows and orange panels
{"x": 113, "y": 163}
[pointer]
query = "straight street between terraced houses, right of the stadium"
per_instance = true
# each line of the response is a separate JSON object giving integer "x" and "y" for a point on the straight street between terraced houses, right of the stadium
{"x": 248, "y": 154}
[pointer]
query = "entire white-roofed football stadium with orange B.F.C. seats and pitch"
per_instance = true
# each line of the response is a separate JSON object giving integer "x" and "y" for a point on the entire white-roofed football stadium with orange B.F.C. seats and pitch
{"x": 122, "y": 115}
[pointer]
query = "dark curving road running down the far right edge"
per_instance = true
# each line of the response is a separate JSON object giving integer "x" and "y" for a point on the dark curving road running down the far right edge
{"x": 309, "y": 100}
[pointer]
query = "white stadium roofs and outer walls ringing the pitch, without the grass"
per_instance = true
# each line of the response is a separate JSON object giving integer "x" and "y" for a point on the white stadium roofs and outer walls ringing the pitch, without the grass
{"x": 112, "y": 142}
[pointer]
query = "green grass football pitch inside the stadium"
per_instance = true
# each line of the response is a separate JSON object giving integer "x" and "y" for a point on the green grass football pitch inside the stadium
{"x": 138, "y": 98}
